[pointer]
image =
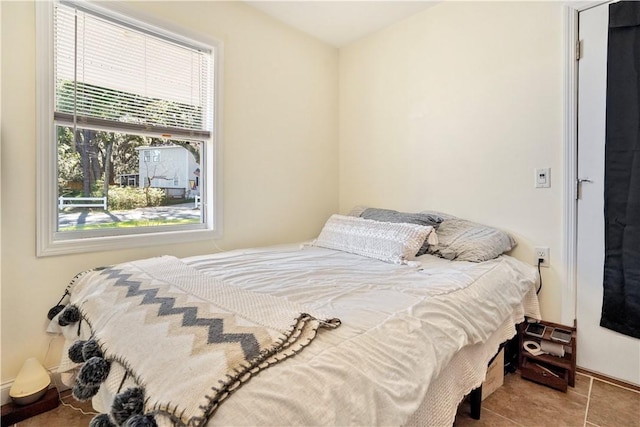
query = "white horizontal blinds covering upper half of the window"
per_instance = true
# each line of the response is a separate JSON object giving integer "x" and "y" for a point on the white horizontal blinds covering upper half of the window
{"x": 113, "y": 75}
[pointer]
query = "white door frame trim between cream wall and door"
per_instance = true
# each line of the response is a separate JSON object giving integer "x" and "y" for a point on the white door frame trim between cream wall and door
{"x": 570, "y": 210}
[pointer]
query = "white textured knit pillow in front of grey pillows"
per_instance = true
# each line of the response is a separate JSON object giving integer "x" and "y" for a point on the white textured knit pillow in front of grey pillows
{"x": 390, "y": 242}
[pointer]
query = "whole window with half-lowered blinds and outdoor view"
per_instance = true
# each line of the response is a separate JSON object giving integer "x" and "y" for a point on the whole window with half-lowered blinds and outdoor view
{"x": 127, "y": 115}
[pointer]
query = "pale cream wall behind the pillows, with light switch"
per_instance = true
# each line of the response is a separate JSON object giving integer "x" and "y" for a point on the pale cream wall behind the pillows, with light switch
{"x": 451, "y": 110}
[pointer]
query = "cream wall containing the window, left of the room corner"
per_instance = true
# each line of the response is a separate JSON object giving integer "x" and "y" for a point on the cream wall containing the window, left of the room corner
{"x": 280, "y": 155}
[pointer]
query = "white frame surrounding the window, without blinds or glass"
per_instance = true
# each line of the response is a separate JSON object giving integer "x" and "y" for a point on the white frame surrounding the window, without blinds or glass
{"x": 49, "y": 241}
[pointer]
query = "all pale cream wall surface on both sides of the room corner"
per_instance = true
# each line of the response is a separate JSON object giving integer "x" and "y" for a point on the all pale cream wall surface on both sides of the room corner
{"x": 450, "y": 110}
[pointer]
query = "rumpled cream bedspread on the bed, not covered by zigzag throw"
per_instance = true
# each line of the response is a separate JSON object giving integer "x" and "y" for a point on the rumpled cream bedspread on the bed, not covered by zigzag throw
{"x": 414, "y": 338}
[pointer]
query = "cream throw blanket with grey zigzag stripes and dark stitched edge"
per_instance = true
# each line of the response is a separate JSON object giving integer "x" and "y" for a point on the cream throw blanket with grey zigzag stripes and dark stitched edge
{"x": 186, "y": 340}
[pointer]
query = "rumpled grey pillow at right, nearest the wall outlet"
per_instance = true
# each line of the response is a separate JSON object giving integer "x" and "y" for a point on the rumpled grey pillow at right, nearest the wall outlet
{"x": 464, "y": 240}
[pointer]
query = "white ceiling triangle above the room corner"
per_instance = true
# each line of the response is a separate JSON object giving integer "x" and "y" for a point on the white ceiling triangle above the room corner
{"x": 340, "y": 22}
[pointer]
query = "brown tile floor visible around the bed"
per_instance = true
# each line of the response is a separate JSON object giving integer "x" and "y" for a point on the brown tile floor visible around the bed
{"x": 518, "y": 403}
